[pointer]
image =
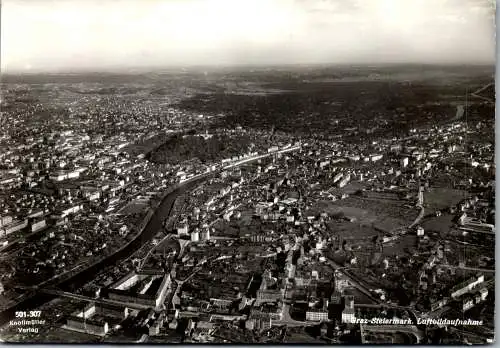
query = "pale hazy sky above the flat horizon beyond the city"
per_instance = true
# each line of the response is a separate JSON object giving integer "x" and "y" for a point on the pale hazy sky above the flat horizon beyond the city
{"x": 69, "y": 35}
